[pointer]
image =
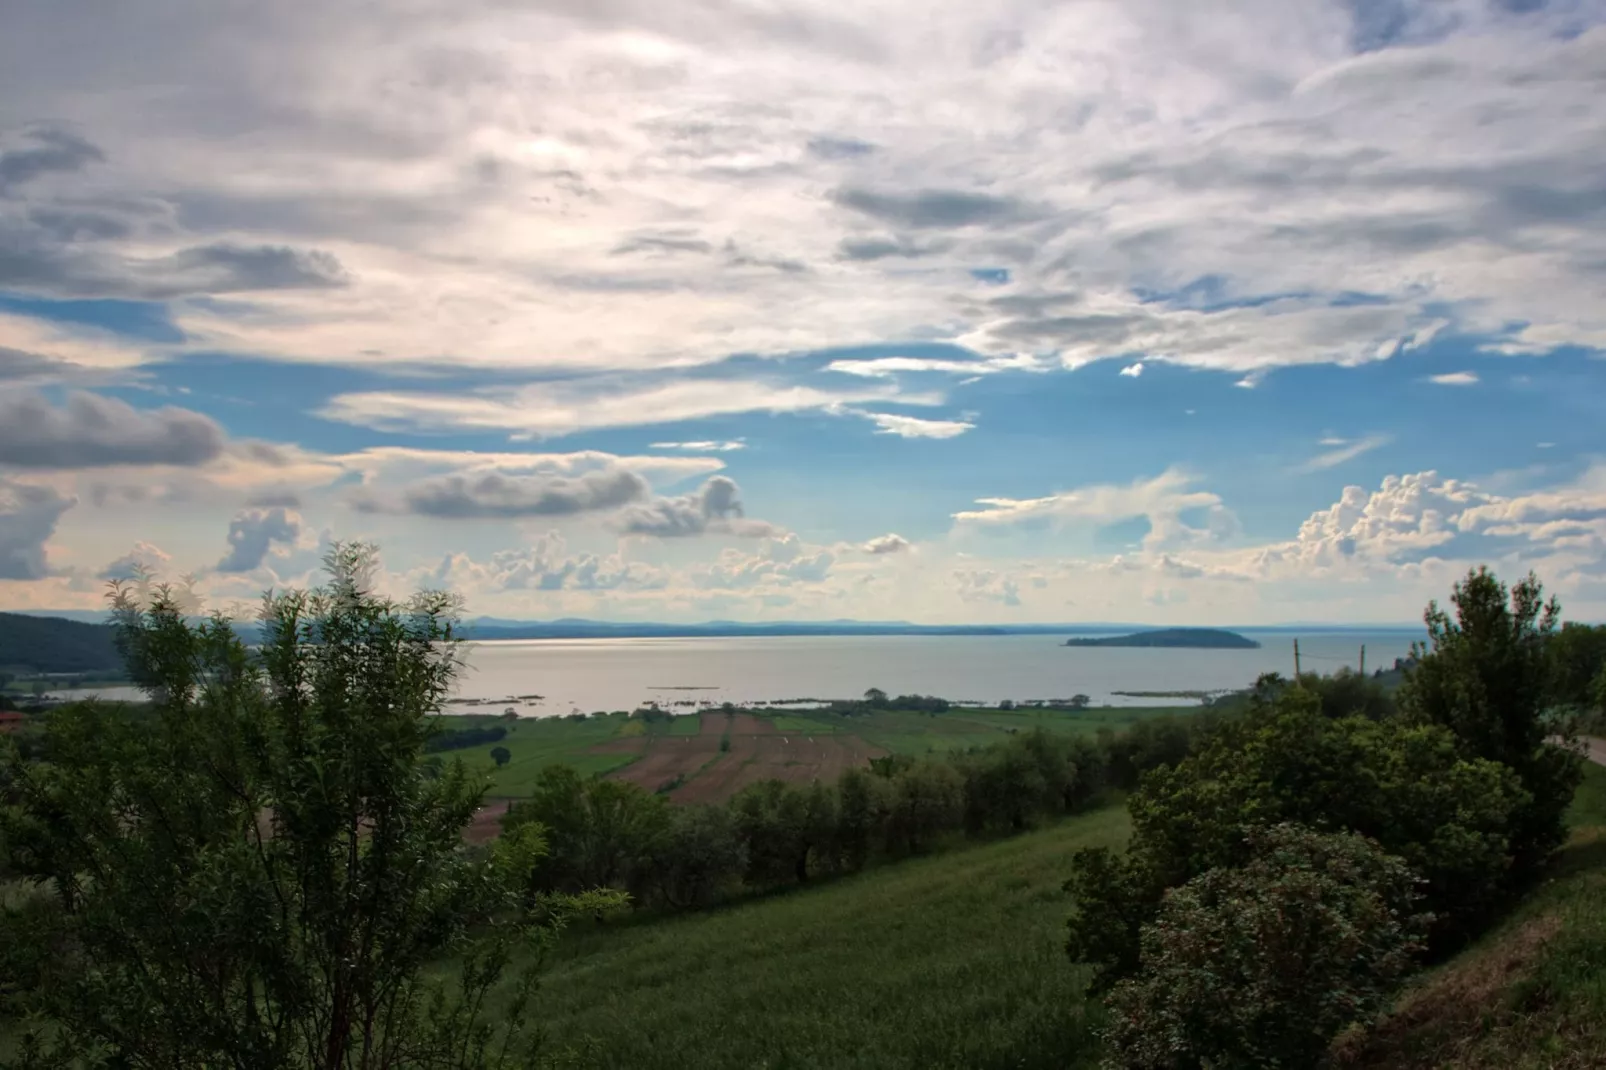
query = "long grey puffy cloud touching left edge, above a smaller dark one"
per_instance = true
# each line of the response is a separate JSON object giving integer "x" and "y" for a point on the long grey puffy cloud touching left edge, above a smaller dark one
{"x": 94, "y": 431}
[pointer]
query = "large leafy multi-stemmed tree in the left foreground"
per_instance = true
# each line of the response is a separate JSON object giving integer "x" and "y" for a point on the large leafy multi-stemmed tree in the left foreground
{"x": 259, "y": 875}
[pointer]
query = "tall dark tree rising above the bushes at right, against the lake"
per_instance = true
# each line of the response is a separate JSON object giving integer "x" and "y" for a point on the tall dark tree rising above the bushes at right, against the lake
{"x": 1486, "y": 676}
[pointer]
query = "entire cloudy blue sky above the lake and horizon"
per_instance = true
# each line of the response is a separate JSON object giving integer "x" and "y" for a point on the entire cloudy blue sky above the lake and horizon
{"x": 1037, "y": 311}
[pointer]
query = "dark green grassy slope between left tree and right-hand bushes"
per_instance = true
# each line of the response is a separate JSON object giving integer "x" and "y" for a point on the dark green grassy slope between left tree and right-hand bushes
{"x": 945, "y": 962}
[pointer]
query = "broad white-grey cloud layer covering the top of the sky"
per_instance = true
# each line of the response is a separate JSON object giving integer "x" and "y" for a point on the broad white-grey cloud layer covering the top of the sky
{"x": 797, "y": 176}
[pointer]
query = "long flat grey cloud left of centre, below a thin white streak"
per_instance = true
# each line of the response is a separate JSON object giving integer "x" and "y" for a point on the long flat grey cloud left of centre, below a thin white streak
{"x": 500, "y": 496}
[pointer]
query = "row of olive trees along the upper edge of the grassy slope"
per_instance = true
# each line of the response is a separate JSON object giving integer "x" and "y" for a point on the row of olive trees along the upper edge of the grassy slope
{"x": 606, "y": 833}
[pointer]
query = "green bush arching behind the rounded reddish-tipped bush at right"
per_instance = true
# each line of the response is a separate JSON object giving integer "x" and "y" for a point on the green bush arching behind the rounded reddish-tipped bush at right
{"x": 1406, "y": 786}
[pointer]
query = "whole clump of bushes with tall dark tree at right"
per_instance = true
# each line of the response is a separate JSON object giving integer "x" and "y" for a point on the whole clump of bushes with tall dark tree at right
{"x": 1315, "y": 847}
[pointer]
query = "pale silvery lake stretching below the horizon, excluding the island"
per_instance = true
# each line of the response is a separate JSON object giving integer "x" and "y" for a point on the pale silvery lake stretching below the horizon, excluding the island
{"x": 624, "y": 674}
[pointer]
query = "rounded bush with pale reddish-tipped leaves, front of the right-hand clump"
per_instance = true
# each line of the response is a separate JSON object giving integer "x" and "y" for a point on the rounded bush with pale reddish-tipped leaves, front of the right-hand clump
{"x": 1265, "y": 965}
